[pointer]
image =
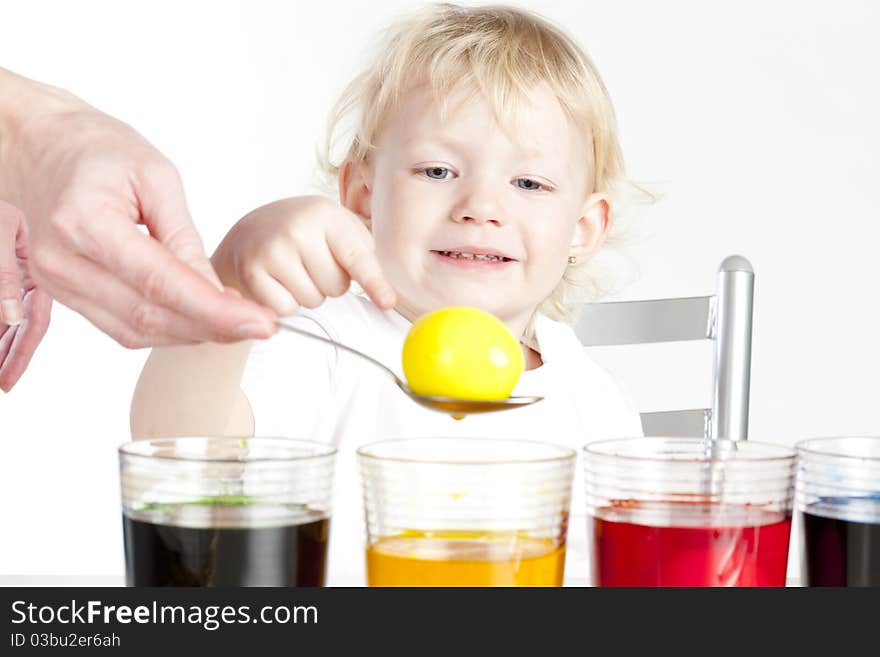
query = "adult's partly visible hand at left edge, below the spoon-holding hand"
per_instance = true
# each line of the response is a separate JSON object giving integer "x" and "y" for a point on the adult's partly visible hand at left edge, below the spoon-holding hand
{"x": 24, "y": 308}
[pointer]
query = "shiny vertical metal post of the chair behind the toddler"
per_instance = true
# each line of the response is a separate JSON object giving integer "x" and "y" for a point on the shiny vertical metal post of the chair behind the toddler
{"x": 732, "y": 330}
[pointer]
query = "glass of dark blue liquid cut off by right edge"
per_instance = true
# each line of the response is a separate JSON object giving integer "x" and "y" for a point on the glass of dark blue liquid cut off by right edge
{"x": 838, "y": 504}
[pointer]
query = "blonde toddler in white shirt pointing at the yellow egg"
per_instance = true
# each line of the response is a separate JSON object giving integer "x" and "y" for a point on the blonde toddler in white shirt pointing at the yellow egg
{"x": 479, "y": 159}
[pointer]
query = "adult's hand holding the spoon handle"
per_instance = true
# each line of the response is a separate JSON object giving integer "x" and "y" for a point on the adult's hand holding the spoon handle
{"x": 85, "y": 181}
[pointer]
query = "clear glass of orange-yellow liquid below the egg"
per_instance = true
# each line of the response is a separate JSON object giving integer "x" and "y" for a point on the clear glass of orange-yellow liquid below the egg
{"x": 466, "y": 511}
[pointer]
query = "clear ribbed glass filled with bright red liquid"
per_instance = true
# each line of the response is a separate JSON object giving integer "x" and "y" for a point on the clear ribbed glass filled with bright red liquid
{"x": 688, "y": 512}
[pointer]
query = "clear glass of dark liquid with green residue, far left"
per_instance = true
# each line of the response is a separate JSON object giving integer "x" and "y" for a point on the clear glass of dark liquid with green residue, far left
{"x": 226, "y": 511}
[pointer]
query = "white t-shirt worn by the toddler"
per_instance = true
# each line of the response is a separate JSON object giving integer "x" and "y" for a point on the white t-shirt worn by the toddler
{"x": 299, "y": 388}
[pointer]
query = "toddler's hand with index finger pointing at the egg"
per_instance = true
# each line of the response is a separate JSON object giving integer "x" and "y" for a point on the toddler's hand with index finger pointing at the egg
{"x": 299, "y": 251}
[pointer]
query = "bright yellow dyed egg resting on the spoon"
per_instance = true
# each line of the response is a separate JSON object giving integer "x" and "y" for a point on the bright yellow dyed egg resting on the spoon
{"x": 463, "y": 353}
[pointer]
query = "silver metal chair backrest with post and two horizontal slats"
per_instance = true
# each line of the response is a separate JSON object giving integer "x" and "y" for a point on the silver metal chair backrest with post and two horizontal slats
{"x": 725, "y": 318}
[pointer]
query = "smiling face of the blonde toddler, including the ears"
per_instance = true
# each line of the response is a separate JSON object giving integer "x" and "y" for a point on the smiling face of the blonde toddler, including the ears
{"x": 437, "y": 193}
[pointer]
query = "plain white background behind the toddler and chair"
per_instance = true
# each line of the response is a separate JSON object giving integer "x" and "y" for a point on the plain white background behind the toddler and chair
{"x": 757, "y": 122}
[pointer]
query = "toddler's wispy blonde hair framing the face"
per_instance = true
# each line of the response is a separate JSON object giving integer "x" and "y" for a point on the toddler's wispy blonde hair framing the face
{"x": 501, "y": 52}
